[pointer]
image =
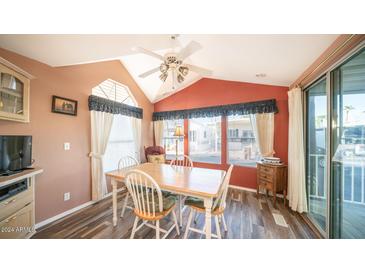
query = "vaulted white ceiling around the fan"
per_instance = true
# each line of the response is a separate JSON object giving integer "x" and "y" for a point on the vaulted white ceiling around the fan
{"x": 282, "y": 58}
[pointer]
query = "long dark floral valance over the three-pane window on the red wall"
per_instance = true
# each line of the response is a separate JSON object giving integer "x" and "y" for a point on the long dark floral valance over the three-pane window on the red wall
{"x": 266, "y": 106}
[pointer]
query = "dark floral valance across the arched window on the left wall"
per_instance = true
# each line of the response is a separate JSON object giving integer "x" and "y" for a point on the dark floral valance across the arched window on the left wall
{"x": 101, "y": 104}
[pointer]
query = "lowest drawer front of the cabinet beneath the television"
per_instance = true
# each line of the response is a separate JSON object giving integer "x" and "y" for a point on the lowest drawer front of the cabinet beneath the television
{"x": 18, "y": 225}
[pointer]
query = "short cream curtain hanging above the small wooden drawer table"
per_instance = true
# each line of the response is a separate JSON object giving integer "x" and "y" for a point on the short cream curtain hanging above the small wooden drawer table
{"x": 263, "y": 128}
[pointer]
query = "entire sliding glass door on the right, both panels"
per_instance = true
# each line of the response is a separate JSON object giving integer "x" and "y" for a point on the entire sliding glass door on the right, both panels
{"x": 335, "y": 156}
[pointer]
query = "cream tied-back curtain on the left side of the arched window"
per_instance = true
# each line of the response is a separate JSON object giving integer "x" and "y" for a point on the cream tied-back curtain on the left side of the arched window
{"x": 101, "y": 124}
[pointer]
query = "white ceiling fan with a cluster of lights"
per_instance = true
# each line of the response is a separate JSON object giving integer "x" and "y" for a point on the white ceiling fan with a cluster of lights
{"x": 173, "y": 62}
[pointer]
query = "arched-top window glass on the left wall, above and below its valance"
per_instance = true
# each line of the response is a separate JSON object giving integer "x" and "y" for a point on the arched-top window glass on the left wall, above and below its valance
{"x": 121, "y": 141}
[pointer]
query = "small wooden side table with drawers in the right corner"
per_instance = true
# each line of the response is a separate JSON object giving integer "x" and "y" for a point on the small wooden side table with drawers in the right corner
{"x": 272, "y": 177}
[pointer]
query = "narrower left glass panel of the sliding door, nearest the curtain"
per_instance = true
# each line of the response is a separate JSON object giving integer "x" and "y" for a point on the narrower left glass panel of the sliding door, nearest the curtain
{"x": 316, "y": 159}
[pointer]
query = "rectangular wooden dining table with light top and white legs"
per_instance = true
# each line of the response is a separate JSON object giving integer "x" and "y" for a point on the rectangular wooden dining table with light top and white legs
{"x": 196, "y": 182}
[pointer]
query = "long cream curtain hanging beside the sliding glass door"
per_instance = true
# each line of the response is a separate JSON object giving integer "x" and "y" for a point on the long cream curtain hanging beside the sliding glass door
{"x": 296, "y": 165}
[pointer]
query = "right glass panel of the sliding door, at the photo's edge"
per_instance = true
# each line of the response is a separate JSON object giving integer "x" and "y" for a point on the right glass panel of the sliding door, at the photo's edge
{"x": 348, "y": 149}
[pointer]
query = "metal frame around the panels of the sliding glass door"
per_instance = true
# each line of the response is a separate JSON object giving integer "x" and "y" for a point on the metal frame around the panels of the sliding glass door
{"x": 331, "y": 125}
